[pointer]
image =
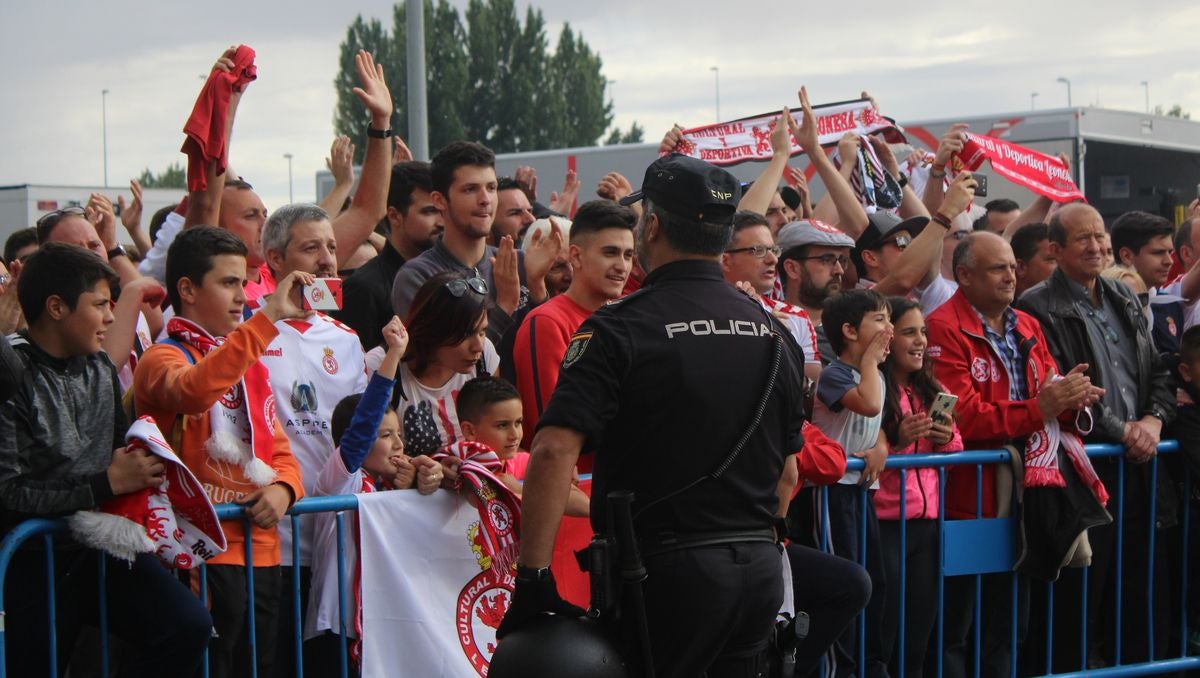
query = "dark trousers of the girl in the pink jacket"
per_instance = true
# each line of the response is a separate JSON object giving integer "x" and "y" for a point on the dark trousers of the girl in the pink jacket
{"x": 921, "y": 560}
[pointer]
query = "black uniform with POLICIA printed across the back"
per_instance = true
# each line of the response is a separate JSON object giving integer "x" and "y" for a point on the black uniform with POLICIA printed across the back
{"x": 663, "y": 385}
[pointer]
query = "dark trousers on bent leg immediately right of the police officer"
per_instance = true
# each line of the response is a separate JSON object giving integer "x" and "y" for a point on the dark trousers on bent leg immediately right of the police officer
{"x": 832, "y": 592}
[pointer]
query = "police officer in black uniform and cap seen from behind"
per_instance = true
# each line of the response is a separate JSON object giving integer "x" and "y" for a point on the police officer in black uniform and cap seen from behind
{"x": 662, "y": 387}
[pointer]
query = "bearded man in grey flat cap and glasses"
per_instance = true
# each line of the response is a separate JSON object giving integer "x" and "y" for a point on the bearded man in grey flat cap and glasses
{"x": 812, "y": 265}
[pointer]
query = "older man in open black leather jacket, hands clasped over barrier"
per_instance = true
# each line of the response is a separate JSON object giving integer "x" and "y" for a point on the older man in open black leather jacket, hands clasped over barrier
{"x": 1093, "y": 321}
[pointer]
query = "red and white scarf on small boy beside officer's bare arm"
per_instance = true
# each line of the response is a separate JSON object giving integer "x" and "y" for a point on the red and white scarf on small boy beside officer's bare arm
{"x": 500, "y": 508}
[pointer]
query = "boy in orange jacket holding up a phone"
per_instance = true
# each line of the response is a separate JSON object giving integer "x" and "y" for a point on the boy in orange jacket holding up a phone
{"x": 208, "y": 391}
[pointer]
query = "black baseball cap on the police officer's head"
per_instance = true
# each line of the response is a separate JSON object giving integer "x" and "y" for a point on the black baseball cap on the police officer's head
{"x": 689, "y": 188}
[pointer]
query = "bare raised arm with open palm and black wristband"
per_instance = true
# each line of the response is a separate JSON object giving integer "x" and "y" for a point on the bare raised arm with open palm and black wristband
{"x": 352, "y": 227}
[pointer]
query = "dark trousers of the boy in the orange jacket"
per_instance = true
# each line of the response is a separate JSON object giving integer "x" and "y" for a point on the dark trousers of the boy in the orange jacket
{"x": 230, "y": 653}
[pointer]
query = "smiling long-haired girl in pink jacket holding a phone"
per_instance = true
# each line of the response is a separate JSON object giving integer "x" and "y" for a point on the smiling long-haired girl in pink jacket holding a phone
{"x": 911, "y": 391}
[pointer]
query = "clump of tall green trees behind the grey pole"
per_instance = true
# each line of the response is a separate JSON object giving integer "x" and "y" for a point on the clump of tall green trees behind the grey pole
{"x": 490, "y": 79}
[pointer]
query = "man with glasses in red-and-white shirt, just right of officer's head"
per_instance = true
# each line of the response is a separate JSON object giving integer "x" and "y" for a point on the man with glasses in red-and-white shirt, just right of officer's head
{"x": 752, "y": 259}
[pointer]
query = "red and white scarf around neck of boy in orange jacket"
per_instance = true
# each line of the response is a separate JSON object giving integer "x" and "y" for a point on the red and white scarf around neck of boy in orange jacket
{"x": 243, "y": 421}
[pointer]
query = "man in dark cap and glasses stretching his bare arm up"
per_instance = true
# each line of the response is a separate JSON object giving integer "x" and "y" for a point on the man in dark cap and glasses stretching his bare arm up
{"x": 902, "y": 259}
